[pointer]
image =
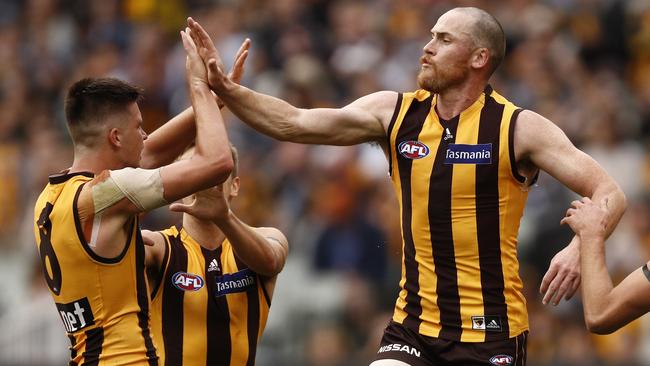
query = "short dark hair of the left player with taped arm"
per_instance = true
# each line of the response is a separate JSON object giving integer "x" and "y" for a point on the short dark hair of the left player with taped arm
{"x": 89, "y": 101}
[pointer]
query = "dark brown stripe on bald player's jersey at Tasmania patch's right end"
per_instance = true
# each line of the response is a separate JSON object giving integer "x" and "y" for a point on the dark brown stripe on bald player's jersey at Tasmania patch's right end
{"x": 487, "y": 221}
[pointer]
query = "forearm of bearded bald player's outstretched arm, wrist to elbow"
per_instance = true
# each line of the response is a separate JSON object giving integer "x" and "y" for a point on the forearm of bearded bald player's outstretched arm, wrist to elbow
{"x": 266, "y": 114}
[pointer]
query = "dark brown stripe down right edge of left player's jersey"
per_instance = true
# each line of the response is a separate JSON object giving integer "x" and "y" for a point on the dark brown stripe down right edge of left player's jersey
{"x": 143, "y": 296}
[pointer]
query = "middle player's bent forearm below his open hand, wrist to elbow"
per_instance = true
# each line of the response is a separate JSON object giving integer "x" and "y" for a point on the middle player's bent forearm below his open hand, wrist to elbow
{"x": 251, "y": 247}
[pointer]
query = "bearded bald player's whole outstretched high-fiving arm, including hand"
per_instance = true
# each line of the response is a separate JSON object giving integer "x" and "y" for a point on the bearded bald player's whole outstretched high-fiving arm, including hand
{"x": 364, "y": 120}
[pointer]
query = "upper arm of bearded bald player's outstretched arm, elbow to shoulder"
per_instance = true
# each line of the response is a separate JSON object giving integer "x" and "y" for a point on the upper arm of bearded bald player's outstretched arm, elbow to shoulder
{"x": 364, "y": 120}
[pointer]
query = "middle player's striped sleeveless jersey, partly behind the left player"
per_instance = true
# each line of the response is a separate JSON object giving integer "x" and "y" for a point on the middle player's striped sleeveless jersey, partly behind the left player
{"x": 209, "y": 308}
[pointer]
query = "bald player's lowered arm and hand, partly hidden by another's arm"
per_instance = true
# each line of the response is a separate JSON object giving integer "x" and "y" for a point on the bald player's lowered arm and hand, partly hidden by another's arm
{"x": 541, "y": 143}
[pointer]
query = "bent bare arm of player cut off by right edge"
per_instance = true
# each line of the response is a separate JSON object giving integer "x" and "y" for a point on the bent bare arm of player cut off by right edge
{"x": 606, "y": 308}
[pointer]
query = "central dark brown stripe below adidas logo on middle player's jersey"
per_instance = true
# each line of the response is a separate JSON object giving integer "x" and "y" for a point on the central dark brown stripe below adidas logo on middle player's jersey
{"x": 218, "y": 317}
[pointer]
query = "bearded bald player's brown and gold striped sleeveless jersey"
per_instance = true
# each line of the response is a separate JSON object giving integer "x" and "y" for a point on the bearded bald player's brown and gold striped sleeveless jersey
{"x": 461, "y": 201}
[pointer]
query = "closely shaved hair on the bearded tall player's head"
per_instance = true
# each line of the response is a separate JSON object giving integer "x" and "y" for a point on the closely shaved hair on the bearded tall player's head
{"x": 487, "y": 32}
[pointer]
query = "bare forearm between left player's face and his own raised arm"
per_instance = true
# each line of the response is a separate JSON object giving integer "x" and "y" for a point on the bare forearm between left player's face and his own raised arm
{"x": 169, "y": 141}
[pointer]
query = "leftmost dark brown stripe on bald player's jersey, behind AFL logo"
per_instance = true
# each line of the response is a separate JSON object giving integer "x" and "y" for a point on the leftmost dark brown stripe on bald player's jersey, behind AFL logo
{"x": 410, "y": 131}
